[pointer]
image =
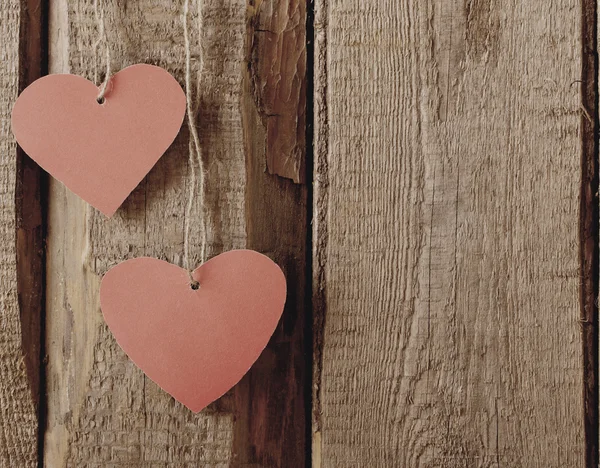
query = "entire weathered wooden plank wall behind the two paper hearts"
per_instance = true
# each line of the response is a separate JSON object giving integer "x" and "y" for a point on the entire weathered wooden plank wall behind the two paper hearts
{"x": 425, "y": 172}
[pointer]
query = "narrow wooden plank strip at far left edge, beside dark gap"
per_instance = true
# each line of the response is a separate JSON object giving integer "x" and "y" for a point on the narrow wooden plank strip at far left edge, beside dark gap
{"x": 18, "y": 389}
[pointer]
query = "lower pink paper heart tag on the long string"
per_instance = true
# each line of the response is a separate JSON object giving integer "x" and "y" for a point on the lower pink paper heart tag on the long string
{"x": 195, "y": 344}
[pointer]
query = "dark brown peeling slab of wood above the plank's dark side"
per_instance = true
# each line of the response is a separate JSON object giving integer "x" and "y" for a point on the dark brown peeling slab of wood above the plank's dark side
{"x": 279, "y": 82}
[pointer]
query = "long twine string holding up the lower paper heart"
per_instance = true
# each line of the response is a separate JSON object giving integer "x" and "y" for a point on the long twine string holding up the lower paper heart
{"x": 195, "y": 153}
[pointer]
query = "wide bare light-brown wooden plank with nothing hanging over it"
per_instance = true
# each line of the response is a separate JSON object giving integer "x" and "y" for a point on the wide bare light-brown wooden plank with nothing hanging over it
{"x": 446, "y": 234}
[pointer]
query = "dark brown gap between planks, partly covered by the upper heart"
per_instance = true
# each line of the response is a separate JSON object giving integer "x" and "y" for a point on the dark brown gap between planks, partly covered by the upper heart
{"x": 30, "y": 197}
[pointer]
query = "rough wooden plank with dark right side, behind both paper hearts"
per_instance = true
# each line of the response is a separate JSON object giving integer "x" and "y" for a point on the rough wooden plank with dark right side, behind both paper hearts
{"x": 102, "y": 411}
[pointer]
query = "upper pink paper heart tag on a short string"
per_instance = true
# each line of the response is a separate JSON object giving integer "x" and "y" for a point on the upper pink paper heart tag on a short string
{"x": 101, "y": 152}
